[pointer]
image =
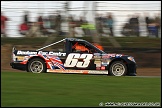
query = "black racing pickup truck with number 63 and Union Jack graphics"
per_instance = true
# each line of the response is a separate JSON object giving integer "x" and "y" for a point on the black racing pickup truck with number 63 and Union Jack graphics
{"x": 72, "y": 55}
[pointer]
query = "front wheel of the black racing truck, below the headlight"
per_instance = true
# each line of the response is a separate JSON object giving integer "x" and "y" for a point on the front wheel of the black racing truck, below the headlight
{"x": 118, "y": 68}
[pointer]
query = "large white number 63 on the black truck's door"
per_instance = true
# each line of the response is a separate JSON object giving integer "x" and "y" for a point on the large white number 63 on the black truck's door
{"x": 72, "y": 60}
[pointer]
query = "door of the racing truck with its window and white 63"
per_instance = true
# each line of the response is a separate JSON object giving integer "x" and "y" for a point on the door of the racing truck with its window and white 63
{"x": 81, "y": 57}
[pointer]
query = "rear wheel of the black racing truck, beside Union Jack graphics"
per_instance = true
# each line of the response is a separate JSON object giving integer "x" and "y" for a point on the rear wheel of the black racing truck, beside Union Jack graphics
{"x": 36, "y": 65}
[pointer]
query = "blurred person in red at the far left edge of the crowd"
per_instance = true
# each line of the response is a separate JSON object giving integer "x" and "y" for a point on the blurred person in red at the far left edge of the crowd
{"x": 3, "y": 24}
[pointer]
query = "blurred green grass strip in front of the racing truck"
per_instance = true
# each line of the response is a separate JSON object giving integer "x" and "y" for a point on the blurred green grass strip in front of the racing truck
{"x": 22, "y": 89}
